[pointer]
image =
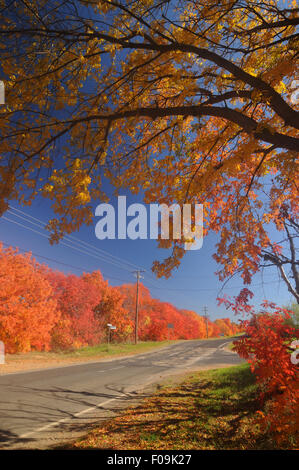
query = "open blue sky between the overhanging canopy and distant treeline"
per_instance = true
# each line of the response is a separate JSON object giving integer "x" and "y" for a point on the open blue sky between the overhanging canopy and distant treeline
{"x": 192, "y": 286}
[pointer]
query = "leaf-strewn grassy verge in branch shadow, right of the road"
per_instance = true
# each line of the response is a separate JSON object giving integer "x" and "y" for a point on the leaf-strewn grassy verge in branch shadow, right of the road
{"x": 208, "y": 410}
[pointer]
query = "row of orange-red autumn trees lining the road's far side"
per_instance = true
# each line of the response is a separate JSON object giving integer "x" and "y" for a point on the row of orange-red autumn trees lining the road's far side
{"x": 44, "y": 310}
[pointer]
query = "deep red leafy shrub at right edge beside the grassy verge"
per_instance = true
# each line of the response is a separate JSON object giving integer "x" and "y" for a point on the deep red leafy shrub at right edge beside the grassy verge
{"x": 267, "y": 349}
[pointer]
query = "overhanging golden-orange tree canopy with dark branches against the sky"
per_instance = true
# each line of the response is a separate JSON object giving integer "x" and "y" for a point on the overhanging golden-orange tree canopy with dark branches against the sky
{"x": 189, "y": 101}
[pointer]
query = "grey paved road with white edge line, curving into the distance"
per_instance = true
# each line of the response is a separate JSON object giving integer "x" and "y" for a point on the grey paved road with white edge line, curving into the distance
{"x": 40, "y": 409}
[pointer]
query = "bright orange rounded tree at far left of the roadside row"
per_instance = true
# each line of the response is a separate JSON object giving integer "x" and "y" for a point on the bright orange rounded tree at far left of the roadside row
{"x": 28, "y": 311}
